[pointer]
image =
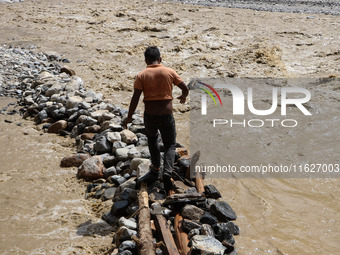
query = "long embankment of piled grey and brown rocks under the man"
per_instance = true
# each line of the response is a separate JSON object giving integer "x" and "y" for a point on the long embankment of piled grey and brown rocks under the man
{"x": 112, "y": 157}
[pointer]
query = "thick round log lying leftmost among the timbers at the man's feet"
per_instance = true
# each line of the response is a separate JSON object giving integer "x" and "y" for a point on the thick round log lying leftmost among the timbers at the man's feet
{"x": 145, "y": 234}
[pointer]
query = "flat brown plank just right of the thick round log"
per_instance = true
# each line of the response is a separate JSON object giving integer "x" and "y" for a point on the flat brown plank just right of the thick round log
{"x": 163, "y": 227}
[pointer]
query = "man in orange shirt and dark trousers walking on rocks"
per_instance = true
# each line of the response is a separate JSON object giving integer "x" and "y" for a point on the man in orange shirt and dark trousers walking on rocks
{"x": 156, "y": 82}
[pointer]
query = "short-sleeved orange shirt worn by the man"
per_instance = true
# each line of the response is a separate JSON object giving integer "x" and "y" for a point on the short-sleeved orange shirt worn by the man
{"x": 156, "y": 82}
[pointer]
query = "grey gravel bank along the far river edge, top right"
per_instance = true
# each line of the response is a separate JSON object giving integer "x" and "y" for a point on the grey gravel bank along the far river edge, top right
{"x": 331, "y": 7}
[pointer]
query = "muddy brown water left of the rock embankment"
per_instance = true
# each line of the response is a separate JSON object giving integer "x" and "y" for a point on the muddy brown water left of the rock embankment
{"x": 43, "y": 210}
